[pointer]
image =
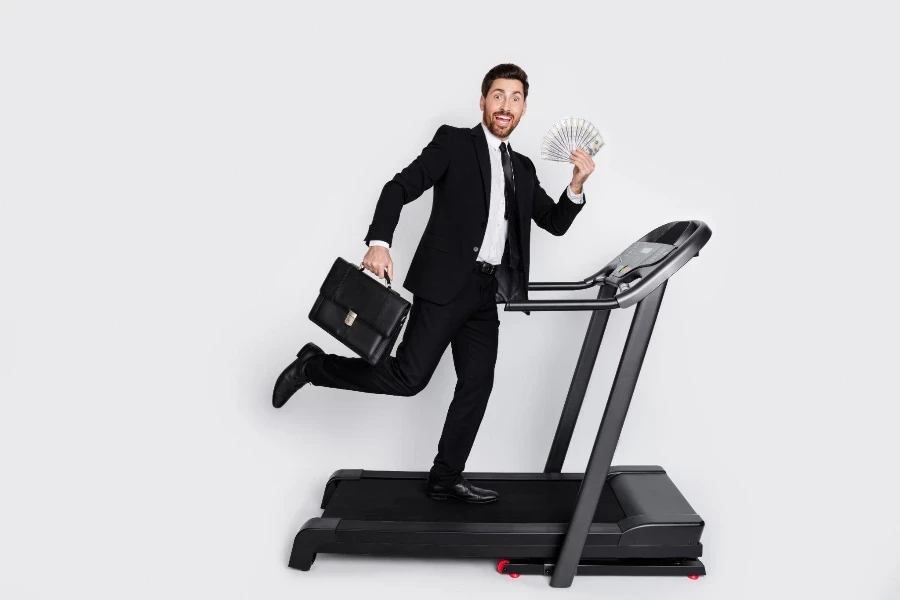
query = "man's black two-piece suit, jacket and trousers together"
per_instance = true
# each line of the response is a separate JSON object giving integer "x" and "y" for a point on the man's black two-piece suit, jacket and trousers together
{"x": 452, "y": 304}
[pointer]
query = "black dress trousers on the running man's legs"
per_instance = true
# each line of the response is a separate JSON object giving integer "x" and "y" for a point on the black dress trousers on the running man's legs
{"x": 469, "y": 323}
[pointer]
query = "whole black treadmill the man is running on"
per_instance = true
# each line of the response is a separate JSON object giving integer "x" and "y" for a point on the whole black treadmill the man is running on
{"x": 609, "y": 520}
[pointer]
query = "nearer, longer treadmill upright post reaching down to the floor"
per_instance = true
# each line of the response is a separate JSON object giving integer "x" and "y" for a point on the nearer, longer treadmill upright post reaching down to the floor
{"x": 607, "y": 437}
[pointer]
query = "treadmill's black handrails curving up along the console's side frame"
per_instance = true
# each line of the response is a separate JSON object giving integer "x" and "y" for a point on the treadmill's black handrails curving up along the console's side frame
{"x": 629, "y": 297}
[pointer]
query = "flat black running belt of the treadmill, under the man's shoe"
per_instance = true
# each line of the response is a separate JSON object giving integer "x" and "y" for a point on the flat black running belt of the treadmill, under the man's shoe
{"x": 520, "y": 502}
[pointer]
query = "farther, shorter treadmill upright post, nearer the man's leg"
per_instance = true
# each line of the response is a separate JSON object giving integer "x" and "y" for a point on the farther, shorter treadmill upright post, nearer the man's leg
{"x": 577, "y": 389}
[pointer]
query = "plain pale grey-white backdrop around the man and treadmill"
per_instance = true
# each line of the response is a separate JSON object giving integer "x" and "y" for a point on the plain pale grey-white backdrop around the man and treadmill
{"x": 177, "y": 177}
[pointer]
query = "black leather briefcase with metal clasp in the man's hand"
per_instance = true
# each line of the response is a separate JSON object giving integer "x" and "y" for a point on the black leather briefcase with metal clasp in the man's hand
{"x": 358, "y": 310}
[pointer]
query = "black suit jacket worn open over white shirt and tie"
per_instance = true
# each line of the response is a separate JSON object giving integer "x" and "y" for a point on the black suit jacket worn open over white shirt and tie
{"x": 457, "y": 165}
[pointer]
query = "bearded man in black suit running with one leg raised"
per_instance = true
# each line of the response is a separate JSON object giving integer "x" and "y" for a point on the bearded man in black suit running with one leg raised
{"x": 474, "y": 253}
